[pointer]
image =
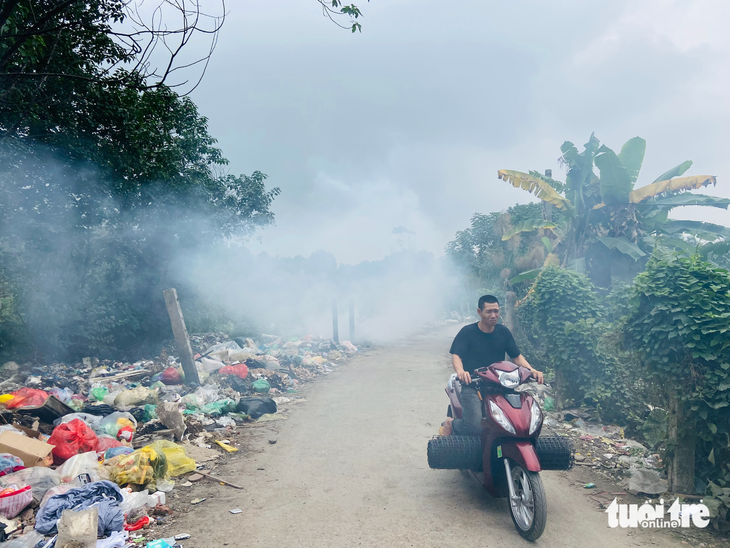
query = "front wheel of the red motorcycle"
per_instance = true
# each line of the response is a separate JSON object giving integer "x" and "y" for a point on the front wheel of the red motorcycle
{"x": 529, "y": 505}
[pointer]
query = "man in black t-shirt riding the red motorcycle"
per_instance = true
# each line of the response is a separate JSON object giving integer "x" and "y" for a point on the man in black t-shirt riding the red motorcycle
{"x": 479, "y": 345}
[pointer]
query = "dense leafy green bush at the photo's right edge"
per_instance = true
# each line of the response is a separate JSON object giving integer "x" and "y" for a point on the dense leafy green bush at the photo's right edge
{"x": 679, "y": 325}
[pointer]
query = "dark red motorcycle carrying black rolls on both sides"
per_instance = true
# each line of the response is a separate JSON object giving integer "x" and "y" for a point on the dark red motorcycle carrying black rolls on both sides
{"x": 509, "y": 455}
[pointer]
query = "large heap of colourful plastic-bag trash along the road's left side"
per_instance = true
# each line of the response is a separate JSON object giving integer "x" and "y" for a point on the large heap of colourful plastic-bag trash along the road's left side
{"x": 88, "y": 451}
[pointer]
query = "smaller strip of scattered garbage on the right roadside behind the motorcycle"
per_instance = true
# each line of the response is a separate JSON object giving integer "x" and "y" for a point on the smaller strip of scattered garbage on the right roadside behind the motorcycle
{"x": 603, "y": 448}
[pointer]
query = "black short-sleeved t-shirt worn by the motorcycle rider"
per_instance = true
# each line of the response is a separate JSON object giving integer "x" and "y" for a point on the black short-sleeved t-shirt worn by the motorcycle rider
{"x": 479, "y": 349}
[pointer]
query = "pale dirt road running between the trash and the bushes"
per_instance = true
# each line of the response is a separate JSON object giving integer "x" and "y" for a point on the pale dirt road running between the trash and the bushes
{"x": 349, "y": 469}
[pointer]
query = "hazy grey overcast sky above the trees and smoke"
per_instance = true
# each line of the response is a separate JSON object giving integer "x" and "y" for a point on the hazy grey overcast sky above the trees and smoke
{"x": 406, "y": 124}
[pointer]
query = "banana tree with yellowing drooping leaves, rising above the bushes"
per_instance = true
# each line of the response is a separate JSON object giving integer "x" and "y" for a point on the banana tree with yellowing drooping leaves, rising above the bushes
{"x": 605, "y": 224}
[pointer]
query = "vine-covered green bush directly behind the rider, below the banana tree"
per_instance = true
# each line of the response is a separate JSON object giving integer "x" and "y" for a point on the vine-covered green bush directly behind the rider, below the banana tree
{"x": 562, "y": 329}
